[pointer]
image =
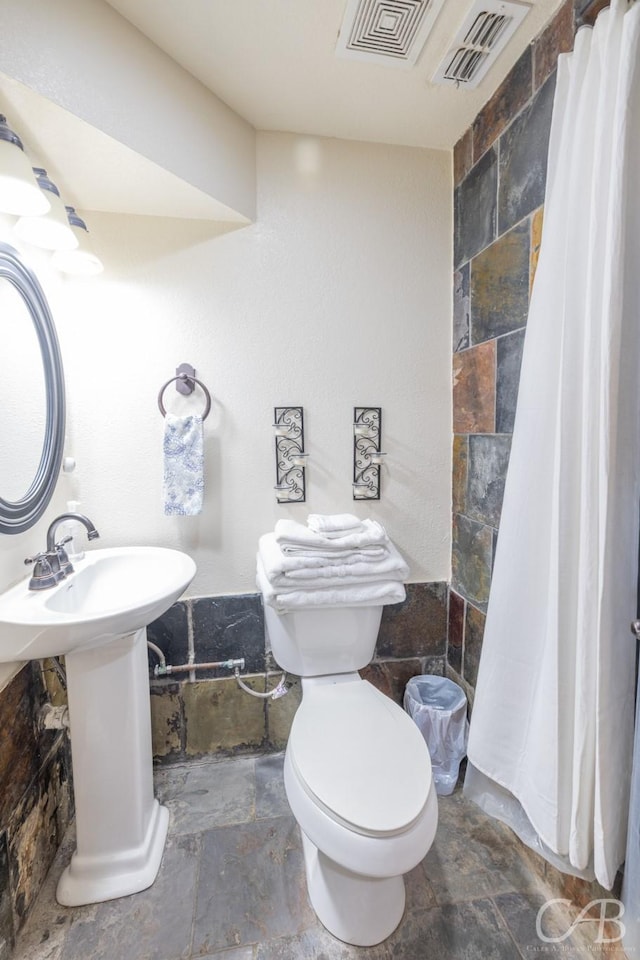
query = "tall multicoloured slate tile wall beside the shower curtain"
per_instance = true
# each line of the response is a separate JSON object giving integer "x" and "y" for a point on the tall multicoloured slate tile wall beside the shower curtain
{"x": 500, "y": 176}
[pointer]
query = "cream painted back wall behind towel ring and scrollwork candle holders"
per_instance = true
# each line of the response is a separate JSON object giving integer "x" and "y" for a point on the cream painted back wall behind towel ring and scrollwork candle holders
{"x": 339, "y": 295}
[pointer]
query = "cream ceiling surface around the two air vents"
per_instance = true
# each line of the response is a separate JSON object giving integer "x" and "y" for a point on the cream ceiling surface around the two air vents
{"x": 274, "y": 63}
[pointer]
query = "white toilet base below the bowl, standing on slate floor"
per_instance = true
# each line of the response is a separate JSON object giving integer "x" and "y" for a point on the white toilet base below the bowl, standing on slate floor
{"x": 362, "y": 911}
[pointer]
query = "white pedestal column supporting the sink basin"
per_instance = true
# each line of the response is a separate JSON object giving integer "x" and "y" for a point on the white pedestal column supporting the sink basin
{"x": 121, "y": 827}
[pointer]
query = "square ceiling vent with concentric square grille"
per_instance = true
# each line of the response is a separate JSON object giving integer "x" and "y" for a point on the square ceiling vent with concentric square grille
{"x": 386, "y": 31}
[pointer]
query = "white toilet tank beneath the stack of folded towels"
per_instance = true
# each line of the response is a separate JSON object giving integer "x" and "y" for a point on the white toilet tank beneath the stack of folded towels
{"x": 314, "y": 642}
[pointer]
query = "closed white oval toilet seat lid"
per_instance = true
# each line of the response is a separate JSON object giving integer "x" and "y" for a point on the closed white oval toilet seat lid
{"x": 361, "y": 756}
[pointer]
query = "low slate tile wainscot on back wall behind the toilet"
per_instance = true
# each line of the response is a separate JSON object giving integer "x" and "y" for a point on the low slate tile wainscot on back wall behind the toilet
{"x": 212, "y": 715}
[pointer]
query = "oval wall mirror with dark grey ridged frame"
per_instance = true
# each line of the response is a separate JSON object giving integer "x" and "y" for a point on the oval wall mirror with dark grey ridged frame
{"x": 31, "y": 396}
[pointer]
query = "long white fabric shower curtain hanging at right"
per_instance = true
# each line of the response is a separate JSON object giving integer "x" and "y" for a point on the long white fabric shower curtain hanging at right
{"x": 551, "y": 734}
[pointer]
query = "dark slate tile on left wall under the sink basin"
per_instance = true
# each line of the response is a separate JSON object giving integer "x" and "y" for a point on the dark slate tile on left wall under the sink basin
{"x": 36, "y": 799}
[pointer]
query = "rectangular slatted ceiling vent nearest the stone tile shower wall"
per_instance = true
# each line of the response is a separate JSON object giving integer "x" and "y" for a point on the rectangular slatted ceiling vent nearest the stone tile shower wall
{"x": 483, "y": 35}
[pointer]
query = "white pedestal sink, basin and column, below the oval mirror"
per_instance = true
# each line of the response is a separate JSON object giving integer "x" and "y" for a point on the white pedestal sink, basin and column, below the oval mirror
{"x": 97, "y": 620}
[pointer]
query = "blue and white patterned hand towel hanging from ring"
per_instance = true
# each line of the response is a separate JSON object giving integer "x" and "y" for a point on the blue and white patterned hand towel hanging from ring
{"x": 183, "y": 449}
